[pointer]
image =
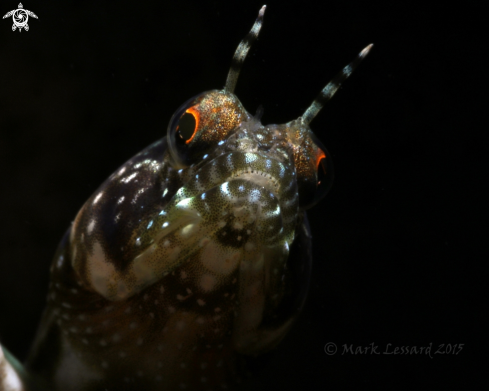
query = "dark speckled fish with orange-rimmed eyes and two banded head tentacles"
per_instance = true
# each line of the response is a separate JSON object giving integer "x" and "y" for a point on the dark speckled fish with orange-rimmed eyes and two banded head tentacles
{"x": 194, "y": 254}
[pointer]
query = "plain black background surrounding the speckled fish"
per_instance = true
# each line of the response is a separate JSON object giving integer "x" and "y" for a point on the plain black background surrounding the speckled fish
{"x": 400, "y": 241}
